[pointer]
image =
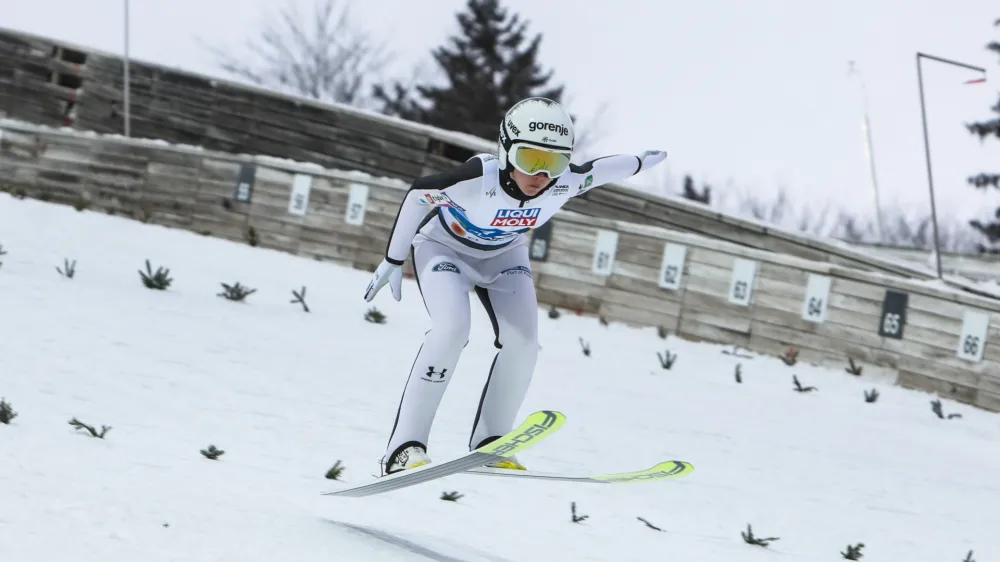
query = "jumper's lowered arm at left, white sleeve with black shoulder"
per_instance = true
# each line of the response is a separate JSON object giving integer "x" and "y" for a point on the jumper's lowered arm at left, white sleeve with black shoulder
{"x": 426, "y": 194}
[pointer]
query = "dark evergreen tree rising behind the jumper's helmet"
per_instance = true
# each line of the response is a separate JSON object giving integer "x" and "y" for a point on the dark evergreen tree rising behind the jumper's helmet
{"x": 489, "y": 67}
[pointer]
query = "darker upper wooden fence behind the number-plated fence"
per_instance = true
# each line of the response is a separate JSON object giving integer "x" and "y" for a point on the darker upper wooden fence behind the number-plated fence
{"x": 55, "y": 83}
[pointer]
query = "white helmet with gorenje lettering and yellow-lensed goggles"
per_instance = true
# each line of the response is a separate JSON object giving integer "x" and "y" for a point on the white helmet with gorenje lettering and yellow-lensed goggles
{"x": 536, "y": 136}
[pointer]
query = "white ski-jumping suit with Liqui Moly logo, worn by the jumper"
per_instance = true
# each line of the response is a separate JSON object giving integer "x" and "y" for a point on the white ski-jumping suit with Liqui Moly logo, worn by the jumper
{"x": 465, "y": 229}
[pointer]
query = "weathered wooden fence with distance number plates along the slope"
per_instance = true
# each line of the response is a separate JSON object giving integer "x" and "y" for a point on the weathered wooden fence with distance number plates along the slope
{"x": 927, "y": 337}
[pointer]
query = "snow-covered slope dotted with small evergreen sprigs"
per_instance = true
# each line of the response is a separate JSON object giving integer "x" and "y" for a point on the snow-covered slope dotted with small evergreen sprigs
{"x": 286, "y": 394}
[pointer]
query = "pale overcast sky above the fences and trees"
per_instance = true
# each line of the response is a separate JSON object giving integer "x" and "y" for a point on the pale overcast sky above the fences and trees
{"x": 753, "y": 94}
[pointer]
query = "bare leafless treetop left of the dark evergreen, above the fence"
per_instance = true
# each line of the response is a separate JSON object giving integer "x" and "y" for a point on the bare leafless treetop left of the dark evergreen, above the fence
{"x": 323, "y": 56}
